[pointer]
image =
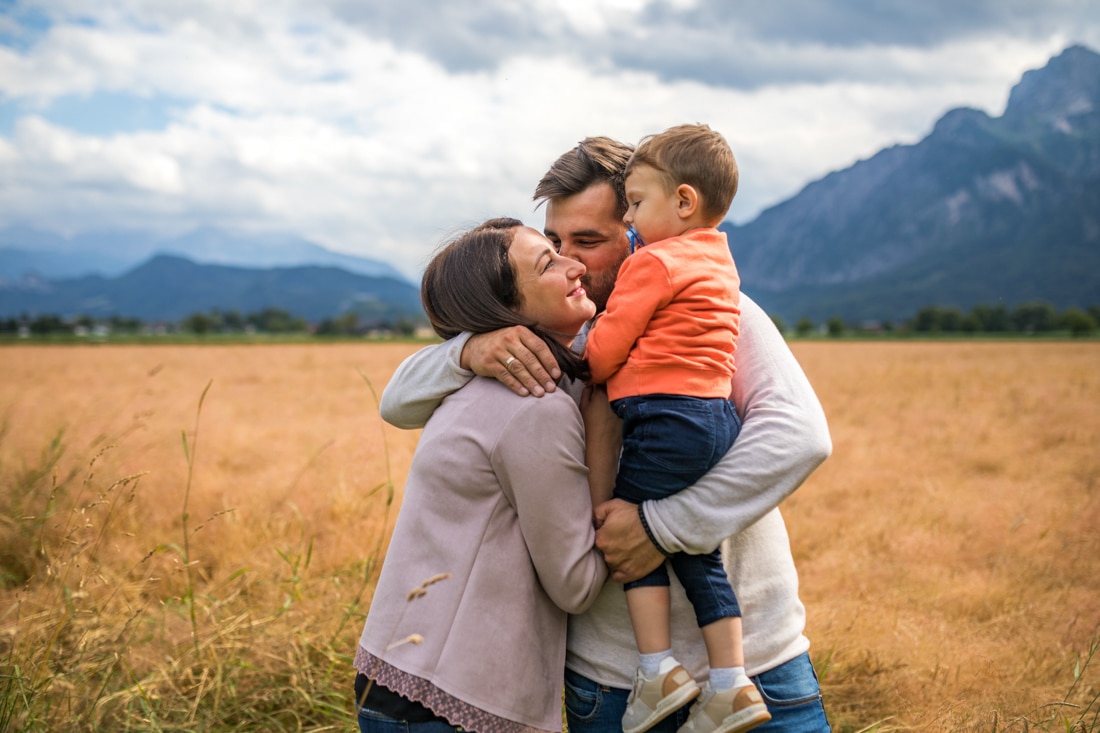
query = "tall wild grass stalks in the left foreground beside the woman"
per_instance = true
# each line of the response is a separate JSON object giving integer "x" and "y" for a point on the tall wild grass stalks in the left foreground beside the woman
{"x": 90, "y": 644}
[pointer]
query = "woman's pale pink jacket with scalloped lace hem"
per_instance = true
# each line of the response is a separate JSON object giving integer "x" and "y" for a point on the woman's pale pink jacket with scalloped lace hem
{"x": 498, "y": 498}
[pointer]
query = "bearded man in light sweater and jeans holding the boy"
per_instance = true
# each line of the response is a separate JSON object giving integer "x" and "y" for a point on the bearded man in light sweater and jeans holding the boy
{"x": 784, "y": 439}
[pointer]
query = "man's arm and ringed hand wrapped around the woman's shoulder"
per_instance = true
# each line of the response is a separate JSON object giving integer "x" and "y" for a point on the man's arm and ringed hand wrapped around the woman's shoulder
{"x": 514, "y": 356}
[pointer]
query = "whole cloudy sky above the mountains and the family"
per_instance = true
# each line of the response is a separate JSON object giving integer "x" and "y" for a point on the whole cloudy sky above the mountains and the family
{"x": 379, "y": 128}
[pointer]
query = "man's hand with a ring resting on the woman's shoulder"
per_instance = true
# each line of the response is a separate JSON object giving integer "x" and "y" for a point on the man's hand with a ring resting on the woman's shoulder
{"x": 515, "y": 357}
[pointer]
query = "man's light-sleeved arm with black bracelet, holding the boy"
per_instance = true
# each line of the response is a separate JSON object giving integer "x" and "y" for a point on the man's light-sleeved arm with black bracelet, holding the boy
{"x": 784, "y": 439}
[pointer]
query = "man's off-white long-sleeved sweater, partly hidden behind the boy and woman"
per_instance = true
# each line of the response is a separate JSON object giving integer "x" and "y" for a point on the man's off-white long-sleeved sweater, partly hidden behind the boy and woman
{"x": 784, "y": 439}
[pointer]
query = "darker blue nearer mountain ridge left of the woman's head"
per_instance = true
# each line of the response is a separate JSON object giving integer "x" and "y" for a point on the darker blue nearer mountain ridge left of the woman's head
{"x": 169, "y": 288}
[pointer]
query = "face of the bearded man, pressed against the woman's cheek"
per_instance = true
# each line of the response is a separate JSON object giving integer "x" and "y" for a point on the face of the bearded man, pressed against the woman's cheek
{"x": 586, "y": 228}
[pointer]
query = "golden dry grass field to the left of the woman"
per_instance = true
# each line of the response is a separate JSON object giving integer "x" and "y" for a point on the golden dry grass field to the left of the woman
{"x": 230, "y": 598}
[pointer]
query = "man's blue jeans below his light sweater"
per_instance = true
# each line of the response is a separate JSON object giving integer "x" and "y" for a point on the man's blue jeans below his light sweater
{"x": 790, "y": 691}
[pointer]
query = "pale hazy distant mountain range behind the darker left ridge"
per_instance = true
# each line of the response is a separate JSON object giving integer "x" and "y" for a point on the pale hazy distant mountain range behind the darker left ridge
{"x": 109, "y": 254}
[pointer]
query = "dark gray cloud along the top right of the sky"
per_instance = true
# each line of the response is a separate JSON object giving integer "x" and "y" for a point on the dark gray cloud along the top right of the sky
{"x": 749, "y": 46}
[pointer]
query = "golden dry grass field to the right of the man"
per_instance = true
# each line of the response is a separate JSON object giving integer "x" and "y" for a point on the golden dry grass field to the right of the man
{"x": 950, "y": 551}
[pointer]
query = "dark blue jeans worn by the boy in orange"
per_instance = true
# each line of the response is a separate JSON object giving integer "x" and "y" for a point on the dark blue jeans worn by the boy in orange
{"x": 669, "y": 443}
